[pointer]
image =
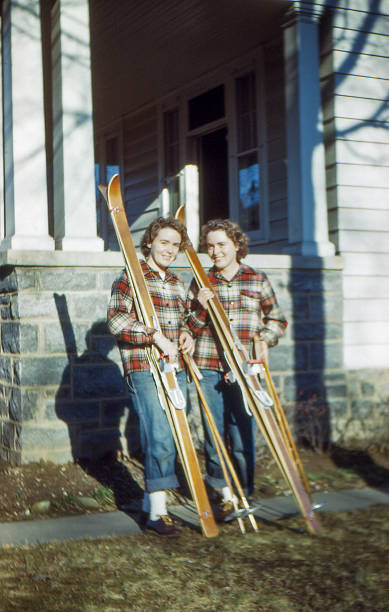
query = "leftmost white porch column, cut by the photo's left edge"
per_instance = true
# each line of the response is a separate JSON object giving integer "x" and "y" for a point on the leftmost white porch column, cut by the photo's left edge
{"x": 25, "y": 215}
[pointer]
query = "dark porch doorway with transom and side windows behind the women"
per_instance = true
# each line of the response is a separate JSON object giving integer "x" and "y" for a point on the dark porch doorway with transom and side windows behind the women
{"x": 215, "y": 128}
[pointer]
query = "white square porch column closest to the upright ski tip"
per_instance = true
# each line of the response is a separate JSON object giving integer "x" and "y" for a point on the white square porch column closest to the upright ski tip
{"x": 74, "y": 182}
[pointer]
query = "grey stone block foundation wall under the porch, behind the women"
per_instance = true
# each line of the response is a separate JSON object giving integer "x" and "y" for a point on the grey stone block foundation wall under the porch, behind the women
{"x": 62, "y": 394}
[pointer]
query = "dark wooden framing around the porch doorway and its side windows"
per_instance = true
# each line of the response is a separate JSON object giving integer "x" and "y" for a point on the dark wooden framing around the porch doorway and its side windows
{"x": 227, "y": 76}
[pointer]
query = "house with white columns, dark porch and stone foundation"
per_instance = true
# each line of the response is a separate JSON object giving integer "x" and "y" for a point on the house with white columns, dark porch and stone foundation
{"x": 274, "y": 113}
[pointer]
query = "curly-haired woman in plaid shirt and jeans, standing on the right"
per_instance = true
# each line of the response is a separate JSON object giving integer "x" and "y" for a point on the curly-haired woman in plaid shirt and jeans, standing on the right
{"x": 252, "y": 309}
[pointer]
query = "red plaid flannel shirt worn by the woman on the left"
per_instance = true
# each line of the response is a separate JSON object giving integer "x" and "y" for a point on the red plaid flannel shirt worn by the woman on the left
{"x": 132, "y": 335}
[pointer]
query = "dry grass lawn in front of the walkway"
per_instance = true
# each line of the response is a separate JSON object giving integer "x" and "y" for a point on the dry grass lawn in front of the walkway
{"x": 275, "y": 570}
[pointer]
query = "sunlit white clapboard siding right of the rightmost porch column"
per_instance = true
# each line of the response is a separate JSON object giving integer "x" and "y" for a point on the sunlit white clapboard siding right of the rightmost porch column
{"x": 355, "y": 77}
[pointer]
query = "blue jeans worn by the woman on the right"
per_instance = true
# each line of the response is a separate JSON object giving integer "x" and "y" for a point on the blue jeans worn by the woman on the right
{"x": 236, "y": 427}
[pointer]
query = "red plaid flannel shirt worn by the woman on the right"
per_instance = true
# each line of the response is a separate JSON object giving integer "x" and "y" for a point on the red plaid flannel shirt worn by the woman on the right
{"x": 251, "y": 307}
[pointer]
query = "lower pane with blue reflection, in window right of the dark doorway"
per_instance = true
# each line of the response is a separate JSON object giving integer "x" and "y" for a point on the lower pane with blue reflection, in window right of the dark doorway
{"x": 249, "y": 194}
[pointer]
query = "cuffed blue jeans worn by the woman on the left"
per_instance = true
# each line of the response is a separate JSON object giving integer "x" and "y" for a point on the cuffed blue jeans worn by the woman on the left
{"x": 156, "y": 439}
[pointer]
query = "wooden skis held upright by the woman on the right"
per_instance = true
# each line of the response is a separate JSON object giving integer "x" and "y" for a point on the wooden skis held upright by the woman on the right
{"x": 256, "y": 399}
